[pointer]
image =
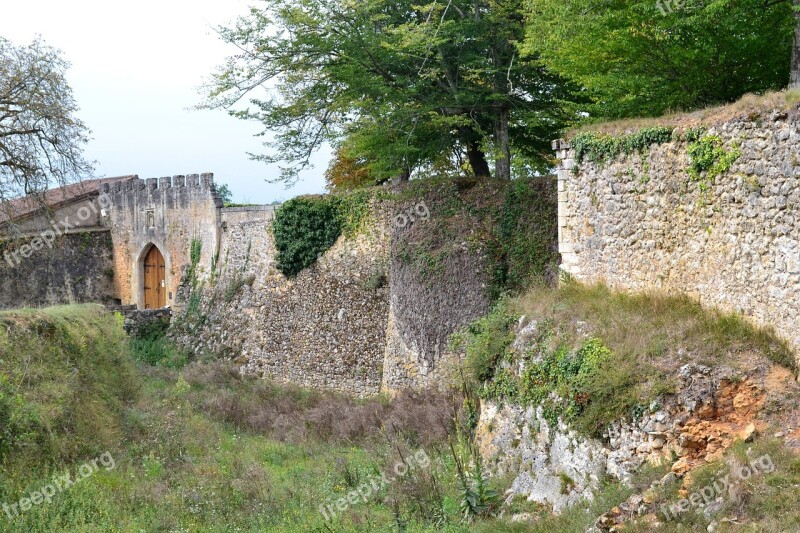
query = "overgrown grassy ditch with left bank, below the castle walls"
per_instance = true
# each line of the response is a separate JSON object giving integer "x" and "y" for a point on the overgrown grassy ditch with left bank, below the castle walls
{"x": 202, "y": 448}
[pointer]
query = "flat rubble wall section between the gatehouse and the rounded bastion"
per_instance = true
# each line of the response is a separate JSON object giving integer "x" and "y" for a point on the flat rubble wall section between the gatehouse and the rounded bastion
{"x": 326, "y": 327}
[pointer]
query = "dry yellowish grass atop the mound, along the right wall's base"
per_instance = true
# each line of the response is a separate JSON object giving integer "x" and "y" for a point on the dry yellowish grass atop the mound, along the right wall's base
{"x": 663, "y": 330}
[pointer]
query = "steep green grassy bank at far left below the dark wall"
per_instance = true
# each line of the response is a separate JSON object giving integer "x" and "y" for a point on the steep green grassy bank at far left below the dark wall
{"x": 65, "y": 376}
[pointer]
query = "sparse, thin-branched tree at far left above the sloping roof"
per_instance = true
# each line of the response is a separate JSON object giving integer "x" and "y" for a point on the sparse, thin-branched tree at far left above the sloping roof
{"x": 41, "y": 140}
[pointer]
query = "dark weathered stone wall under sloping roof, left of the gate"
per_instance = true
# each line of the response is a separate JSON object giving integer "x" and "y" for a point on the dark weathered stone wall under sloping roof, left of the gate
{"x": 70, "y": 268}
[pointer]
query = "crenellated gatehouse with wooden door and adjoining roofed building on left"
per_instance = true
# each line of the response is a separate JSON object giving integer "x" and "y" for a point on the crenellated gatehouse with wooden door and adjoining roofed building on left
{"x": 121, "y": 240}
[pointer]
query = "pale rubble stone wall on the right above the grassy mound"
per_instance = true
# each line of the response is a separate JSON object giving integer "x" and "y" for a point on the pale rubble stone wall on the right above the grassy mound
{"x": 640, "y": 222}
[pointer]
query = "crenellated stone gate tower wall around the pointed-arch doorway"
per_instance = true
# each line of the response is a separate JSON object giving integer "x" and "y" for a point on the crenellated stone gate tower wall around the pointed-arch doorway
{"x": 168, "y": 213}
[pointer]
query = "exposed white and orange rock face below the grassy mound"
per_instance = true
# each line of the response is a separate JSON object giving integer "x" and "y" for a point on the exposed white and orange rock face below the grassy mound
{"x": 558, "y": 467}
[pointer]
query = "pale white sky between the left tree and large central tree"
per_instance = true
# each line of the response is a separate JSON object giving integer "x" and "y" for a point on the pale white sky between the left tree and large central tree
{"x": 136, "y": 69}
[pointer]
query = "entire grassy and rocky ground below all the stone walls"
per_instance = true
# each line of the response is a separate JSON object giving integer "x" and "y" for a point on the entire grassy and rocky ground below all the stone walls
{"x": 199, "y": 447}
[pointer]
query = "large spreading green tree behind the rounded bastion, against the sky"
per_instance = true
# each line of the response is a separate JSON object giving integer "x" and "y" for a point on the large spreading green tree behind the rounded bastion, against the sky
{"x": 405, "y": 82}
